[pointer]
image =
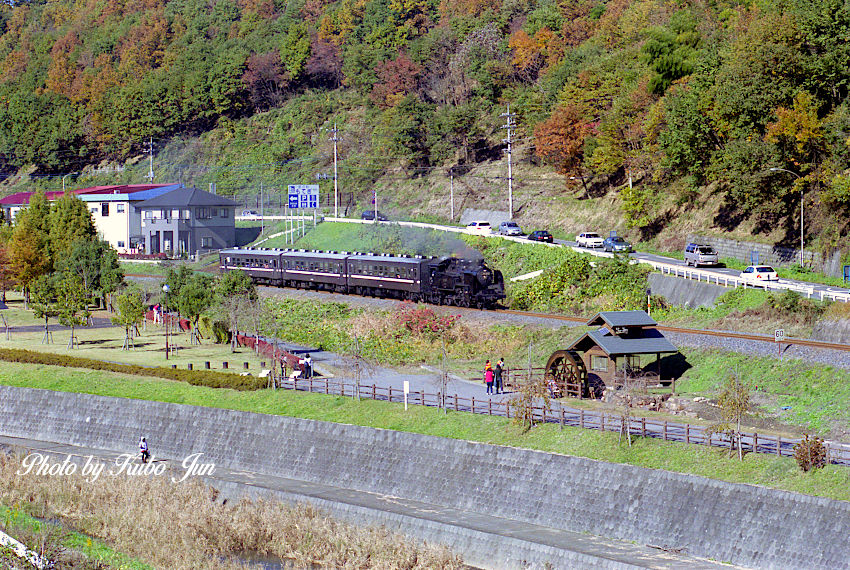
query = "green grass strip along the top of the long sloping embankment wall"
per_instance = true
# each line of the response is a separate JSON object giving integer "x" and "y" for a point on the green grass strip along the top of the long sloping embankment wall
{"x": 780, "y": 473}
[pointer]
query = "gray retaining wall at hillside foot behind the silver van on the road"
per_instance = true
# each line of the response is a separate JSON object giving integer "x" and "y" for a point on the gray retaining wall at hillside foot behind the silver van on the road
{"x": 772, "y": 255}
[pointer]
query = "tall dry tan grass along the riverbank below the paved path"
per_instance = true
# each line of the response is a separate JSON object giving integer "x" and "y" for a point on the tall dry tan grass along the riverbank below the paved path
{"x": 183, "y": 526}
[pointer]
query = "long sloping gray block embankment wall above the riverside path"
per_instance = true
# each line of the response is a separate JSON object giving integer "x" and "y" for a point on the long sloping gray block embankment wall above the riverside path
{"x": 742, "y": 524}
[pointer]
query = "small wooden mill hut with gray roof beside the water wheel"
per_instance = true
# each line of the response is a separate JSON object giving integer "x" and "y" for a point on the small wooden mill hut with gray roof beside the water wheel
{"x": 627, "y": 341}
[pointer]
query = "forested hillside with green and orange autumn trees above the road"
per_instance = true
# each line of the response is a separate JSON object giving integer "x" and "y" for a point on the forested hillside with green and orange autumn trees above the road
{"x": 663, "y": 102}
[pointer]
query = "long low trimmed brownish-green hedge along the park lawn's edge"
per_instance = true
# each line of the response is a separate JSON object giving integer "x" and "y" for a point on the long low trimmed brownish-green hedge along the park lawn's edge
{"x": 206, "y": 378}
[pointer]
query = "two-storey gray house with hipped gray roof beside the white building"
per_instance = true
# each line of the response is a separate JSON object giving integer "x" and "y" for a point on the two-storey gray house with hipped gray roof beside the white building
{"x": 187, "y": 220}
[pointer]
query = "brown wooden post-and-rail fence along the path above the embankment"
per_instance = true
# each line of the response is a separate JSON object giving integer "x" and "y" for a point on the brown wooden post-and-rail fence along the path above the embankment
{"x": 586, "y": 419}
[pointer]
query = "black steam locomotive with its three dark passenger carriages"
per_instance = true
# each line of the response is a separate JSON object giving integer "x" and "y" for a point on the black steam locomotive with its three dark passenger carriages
{"x": 441, "y": 281}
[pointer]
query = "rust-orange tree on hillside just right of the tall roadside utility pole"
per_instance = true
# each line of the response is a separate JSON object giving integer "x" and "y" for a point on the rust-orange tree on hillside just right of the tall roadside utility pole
{"x": 560, "y": 139}
